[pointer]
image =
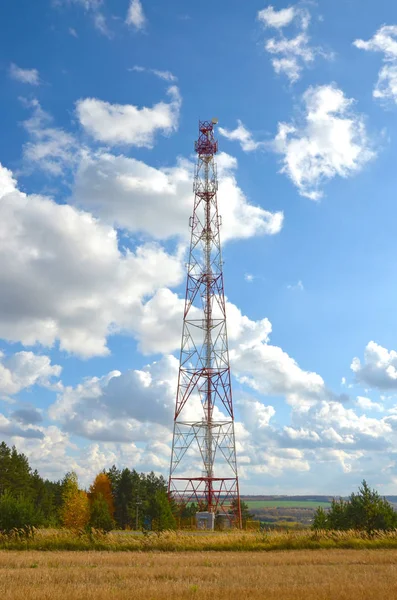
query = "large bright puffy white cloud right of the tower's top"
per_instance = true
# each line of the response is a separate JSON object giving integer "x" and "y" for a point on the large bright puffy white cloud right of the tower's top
{"x": 331, "y": 141}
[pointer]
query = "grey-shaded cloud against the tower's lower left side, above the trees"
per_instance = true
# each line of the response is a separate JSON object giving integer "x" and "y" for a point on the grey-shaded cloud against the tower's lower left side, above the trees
{"x": 122, "y": 407}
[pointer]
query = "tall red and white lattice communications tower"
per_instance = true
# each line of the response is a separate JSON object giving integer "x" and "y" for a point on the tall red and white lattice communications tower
{"x": 203, "y": 462}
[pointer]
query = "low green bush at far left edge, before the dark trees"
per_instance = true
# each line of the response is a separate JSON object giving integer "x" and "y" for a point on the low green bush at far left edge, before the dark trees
{"x": 18, "y": 512}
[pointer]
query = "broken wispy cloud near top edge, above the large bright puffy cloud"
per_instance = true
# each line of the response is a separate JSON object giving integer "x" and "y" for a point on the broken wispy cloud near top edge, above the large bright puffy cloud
{"x": 290, "y": 55}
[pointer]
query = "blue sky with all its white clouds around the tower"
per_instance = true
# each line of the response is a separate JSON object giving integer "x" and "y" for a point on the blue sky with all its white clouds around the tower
{"x": 98, "y": 113}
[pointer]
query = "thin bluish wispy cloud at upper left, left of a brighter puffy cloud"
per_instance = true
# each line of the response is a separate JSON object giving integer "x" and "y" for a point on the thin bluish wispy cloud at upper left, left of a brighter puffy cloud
{"x": 51, "y": 148}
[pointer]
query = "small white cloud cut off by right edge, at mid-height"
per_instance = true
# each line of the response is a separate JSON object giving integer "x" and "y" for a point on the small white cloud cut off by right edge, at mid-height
{"x": 379, "y": 369}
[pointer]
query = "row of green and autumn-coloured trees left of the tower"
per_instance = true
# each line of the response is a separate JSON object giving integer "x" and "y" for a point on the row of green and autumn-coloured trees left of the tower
{"x": 123, "y": 499}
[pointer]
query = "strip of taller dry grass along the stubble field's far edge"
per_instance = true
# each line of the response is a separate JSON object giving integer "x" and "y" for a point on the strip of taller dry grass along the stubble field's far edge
{"x": 232, "y": 541}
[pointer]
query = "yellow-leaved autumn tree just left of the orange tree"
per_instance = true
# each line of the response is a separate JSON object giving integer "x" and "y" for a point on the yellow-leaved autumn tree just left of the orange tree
{"x": 75, "y": 511}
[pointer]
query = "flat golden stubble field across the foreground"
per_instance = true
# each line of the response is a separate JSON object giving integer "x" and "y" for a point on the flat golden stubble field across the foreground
{"x": 291, "y": 575}
